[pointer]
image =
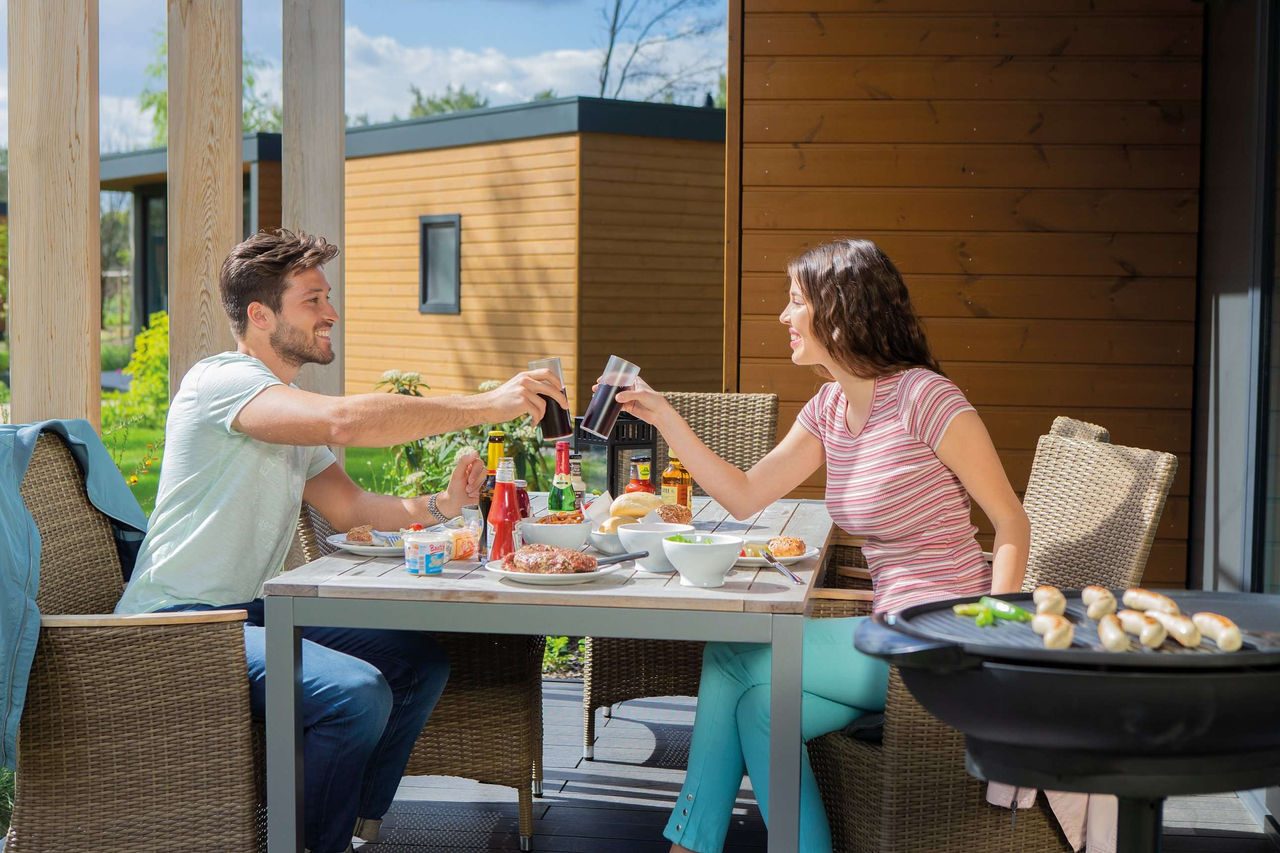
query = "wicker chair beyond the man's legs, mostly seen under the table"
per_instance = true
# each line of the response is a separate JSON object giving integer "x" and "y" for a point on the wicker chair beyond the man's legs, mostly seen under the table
{"x": 488, "y": 726}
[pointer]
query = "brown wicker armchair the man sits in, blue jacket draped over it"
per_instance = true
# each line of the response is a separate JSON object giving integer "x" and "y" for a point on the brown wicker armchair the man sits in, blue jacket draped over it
{"x": 136, "y": 733}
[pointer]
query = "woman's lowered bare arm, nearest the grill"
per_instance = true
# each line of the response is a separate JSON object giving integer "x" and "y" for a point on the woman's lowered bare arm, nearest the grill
{"x": 967, "y": 450}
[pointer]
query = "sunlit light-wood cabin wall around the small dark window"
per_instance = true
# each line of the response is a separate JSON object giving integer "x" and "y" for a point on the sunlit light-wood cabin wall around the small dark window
{"x": 519, "y": 208}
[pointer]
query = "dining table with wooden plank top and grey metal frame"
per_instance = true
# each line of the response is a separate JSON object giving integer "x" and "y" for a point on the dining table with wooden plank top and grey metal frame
{"x": 756, "y": 605}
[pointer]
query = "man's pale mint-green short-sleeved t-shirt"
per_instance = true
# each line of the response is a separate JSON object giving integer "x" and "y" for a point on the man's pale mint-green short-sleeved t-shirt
{"x": 228, "y": 504}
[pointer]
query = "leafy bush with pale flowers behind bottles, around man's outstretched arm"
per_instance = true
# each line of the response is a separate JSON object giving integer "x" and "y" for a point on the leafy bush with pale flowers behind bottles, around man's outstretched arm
{"x": 426, "y": 466}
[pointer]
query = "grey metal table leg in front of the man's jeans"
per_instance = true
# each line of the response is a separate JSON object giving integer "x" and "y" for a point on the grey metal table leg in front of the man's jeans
{"x": 284, "y": 728}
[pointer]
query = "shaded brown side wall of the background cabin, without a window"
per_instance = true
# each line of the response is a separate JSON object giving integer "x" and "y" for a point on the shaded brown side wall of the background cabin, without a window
{"x": 652, "y": 291}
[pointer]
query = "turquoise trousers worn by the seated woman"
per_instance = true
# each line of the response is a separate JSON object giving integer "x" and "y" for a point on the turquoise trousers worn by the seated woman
{"x": 732, "y": 732}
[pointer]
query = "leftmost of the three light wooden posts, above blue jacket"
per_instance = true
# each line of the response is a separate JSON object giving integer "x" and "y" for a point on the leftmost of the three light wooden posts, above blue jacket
{"x": 54, "y": 257}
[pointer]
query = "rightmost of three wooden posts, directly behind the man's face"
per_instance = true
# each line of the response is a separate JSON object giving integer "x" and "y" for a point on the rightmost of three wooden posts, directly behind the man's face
{"x": 316, "y": 149}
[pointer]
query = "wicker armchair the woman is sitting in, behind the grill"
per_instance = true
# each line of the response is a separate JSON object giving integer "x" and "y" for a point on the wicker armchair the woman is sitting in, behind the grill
{"x": 1094, "y": 510}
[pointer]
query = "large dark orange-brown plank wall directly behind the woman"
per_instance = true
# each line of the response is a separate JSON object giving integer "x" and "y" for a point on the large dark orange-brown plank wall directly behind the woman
{"x": 1031, "y": 166}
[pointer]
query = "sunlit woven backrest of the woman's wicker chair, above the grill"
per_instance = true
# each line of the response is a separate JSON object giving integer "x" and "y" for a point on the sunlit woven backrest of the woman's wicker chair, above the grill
{"x": 1094, "y": 509}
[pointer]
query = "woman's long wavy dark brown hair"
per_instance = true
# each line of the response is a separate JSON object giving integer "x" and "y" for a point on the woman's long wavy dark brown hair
{"x": 861, "y": 309}
